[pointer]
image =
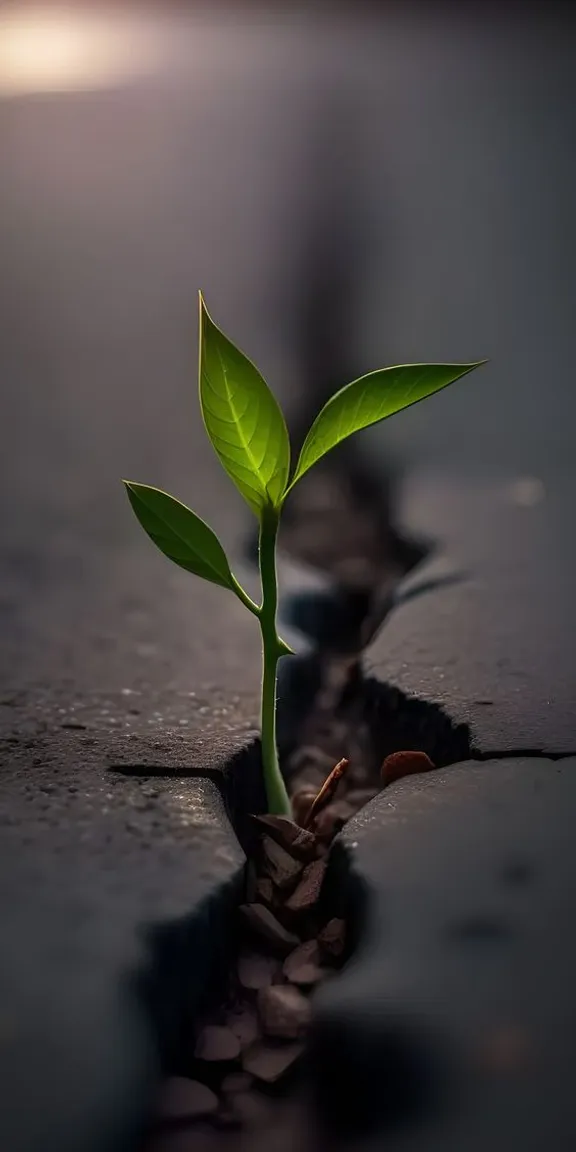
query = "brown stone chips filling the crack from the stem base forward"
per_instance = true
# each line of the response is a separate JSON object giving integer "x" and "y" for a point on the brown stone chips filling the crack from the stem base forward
{"x": 241, "y": 1083}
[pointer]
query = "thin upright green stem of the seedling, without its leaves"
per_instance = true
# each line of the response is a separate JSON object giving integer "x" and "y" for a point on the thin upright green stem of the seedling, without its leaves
{"x": 277, "y": 795}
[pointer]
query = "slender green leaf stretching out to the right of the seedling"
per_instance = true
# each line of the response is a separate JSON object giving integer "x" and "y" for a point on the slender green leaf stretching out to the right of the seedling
{"x": 372, "y": 399}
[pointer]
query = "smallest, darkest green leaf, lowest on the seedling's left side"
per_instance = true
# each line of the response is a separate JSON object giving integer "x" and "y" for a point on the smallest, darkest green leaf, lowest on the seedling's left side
{"x": 180, "y": 534}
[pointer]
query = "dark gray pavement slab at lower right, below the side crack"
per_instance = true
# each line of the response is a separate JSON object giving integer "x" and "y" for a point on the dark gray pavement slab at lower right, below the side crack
{"x": 452, "y": 1028}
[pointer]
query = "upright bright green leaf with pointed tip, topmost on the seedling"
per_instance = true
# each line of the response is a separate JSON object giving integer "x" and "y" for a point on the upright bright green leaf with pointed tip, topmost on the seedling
{"x": 242, "y": 419}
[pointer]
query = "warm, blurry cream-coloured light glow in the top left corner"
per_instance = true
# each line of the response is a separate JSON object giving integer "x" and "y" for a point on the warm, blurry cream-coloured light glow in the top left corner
{"x": 49, "y": 50}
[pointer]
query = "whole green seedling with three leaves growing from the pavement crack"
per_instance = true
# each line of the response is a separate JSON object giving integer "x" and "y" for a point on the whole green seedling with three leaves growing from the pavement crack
{"x": 249, "y": 435}
